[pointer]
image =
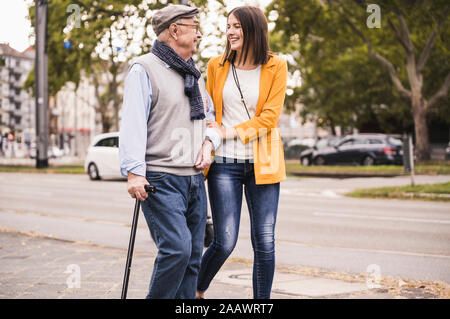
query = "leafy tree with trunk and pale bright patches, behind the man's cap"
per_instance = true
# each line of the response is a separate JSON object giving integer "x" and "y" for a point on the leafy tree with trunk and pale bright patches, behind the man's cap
{"x": 96, "y": 39}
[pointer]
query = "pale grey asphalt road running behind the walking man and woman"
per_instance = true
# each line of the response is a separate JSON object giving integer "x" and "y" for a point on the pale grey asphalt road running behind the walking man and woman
{"x": 316, "y": 227}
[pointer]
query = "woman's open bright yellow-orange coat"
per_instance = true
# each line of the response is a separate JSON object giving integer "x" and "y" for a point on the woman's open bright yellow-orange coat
{"x": 262, "y": 129}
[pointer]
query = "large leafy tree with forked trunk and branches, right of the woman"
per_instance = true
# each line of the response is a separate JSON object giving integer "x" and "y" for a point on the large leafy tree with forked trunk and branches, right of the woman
{"x": 409, "y": 45}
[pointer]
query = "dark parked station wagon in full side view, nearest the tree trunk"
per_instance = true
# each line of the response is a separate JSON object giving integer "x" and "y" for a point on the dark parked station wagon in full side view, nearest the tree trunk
{"x": 362, "y": 149}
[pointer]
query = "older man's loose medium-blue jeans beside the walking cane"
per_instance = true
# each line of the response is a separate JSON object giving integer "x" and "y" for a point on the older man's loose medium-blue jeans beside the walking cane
{"x": 176, "y": 217}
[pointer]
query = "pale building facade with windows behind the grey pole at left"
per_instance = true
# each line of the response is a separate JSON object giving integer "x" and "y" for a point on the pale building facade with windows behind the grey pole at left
{"x": 71, "y": 113}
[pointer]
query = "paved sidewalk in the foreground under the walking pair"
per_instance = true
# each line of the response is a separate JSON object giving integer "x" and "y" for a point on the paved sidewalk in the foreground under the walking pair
{"x": 37, "y": 267}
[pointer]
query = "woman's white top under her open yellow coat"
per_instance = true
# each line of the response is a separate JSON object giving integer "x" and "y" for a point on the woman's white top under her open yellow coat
{"x": 234, "y": 111}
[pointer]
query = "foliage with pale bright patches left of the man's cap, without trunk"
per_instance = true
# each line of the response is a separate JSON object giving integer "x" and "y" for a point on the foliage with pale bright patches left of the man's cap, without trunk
{"x": 98, "y": 19}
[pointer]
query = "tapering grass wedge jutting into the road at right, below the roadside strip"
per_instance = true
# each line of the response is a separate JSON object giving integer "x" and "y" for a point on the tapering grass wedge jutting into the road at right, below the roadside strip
{"x": 433, "y": 192}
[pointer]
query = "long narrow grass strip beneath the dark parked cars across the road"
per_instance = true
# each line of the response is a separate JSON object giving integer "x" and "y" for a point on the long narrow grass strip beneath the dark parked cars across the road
{"x": 376, "y": 170}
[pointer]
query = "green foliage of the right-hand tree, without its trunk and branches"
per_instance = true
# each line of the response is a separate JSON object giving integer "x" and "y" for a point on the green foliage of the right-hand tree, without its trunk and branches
{"x": 341, "y": 83}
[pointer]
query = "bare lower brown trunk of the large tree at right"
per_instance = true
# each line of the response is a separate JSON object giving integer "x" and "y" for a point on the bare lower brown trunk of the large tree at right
{"x": 421, "y": 128}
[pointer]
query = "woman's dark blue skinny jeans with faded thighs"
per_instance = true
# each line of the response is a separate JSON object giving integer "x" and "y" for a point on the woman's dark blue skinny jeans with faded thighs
{"x": 225, "y": 188}
